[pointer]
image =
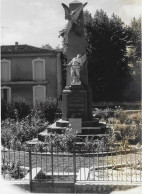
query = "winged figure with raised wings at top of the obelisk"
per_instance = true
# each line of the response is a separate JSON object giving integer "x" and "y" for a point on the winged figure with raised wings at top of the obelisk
{"x": 71, "y": 16}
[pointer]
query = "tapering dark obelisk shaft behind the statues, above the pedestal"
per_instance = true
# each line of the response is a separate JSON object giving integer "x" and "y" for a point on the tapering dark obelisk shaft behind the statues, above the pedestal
{"x": 77, "y": 45}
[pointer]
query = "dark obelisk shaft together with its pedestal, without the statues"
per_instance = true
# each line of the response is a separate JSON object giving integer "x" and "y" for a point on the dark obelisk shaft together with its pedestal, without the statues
{"x": 77, "y": 99}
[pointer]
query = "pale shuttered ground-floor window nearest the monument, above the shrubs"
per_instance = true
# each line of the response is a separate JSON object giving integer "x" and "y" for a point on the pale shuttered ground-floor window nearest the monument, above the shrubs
{"x": 39, "y": 93}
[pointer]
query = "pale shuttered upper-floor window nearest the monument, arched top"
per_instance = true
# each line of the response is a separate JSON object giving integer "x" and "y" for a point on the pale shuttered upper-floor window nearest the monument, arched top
{"x": 38, "y": 66}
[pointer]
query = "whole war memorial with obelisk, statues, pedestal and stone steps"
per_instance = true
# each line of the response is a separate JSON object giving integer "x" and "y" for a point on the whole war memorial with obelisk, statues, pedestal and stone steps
{"x": 76, "y": 96}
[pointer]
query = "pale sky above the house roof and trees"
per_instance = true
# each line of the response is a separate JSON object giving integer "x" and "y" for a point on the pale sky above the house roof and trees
{"x": 38, "y": 22}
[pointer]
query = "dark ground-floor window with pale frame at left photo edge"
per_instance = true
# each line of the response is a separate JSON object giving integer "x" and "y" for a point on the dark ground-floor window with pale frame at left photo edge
{"x": 6, "y": 93}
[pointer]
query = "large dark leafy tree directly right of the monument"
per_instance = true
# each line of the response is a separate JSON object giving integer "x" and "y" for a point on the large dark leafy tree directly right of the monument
{"x": 107, "y": 39}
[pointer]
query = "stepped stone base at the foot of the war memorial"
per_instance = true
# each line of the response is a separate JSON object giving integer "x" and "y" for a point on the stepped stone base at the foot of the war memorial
{"x": 84, "y": 129}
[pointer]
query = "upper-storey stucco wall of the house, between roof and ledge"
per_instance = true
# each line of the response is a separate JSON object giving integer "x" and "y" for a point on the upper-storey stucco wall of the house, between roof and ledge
{"x": 21, "y": 67}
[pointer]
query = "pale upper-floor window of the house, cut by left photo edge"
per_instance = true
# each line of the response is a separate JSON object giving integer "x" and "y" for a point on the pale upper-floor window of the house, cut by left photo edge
{"x": 5, "y": 70}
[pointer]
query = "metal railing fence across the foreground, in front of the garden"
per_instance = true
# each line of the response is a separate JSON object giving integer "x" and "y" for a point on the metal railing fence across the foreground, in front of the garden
{"x": 85, "y": 164}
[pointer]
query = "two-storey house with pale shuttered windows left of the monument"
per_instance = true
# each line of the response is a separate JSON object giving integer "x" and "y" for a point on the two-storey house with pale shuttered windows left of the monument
{"x": 30, "y": 73}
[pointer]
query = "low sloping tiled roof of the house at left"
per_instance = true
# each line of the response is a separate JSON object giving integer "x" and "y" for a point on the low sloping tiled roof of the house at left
{"x": 13, "y": 49}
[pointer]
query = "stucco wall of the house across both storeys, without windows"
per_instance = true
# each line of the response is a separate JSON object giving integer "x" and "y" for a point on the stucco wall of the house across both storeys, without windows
{"x": 21, "y": 70}
